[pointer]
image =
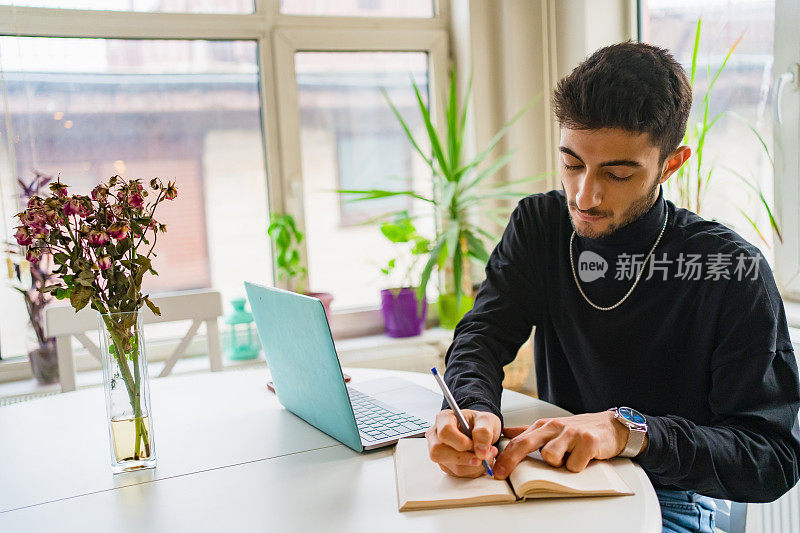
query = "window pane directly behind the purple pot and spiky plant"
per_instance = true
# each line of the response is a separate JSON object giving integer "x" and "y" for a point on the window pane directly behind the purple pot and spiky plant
{"x": 350, "y": 139}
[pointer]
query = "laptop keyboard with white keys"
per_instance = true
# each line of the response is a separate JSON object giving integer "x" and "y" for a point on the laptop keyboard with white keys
{"x": 378, "y": 421}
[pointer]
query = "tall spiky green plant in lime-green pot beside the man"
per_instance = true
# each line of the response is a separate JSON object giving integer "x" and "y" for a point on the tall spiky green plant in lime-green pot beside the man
{"x": 457, "y": 195}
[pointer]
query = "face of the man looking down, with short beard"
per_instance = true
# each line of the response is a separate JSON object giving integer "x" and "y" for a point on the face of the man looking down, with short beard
{"x": 611, "y": 177}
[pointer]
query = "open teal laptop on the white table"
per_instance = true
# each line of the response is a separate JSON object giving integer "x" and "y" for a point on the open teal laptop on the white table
{"x": 308, "y": 379}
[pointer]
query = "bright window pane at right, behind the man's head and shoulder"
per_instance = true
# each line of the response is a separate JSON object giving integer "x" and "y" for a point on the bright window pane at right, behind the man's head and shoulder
{"x": 742, "y": 91}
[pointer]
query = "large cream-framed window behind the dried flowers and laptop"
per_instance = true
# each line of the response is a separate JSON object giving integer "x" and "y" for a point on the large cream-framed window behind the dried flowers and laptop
{"x": 230, "y": 107}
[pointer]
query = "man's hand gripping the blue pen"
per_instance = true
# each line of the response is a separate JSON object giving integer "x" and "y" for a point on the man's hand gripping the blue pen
{"x": 454, "y": 452}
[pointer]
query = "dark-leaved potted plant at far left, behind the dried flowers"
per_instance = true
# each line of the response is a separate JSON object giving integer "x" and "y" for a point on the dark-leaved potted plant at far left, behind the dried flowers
{"x": 31, "y": 274}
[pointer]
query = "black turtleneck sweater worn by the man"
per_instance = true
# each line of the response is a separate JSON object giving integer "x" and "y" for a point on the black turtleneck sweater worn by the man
{"x": 708, "y": 361}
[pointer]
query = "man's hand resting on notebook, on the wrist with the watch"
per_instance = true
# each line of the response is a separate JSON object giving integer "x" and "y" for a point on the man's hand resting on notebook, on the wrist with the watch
{"x": 571, "y": 441}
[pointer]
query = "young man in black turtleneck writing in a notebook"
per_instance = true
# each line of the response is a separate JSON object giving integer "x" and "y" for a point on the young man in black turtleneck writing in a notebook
{"x": 638, "y": 305}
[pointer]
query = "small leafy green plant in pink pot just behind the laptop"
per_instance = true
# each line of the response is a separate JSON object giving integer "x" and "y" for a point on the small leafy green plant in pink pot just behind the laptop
{"x": 287, "y": 238}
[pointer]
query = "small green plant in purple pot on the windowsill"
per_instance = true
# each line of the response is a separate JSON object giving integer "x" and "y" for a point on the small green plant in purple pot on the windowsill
{"x": 403, "y": 313}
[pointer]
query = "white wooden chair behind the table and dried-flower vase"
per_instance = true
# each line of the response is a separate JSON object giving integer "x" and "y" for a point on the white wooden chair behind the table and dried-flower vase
{"x": 200, "y": 306}
